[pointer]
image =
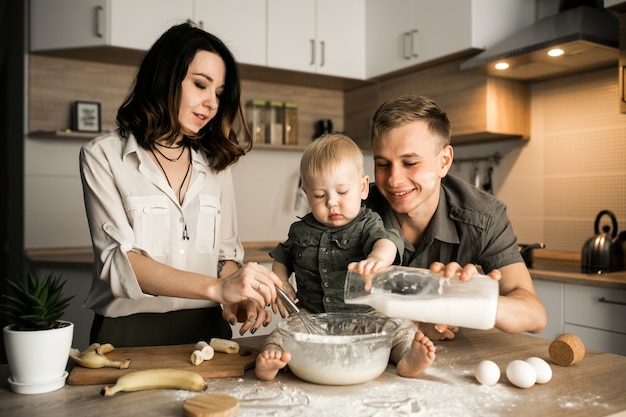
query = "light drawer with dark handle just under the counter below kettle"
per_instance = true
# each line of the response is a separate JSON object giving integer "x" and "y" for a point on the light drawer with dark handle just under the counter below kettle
{"x": 599, "y": 308}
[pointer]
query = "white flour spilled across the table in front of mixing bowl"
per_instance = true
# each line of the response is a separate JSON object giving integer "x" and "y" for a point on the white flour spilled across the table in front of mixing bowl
{"x": 447, "y": 388}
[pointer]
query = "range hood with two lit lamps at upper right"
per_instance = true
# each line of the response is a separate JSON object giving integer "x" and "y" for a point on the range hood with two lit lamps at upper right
{"x": 588, "y": 37}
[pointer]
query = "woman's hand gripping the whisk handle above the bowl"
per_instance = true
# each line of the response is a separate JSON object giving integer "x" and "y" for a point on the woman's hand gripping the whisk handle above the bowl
{"x": 253, "y": 282}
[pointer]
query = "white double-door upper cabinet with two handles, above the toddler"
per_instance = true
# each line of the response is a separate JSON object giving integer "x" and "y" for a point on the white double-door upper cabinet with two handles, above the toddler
{"x": 319, "y": 36}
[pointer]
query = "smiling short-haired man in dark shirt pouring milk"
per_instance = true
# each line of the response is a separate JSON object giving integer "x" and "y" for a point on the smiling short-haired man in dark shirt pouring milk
{"x": 448, "y": 225}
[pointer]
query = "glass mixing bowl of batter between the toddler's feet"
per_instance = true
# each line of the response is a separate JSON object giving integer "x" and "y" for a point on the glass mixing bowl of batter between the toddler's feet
{"x": 355, "y": 348}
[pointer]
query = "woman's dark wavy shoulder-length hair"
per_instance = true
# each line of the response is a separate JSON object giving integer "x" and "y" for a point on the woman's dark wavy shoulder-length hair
{"x": 150, "y": 111}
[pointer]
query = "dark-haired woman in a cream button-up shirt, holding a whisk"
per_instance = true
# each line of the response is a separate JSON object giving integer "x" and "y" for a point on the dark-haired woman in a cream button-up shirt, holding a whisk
{"x": 160, "y": 204}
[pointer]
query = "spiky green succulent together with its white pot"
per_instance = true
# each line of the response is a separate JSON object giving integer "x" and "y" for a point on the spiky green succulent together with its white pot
{"x": 37, "y": 342}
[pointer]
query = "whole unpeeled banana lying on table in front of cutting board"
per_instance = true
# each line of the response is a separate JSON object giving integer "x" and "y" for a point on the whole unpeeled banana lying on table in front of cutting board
{"x": 157, "y": 379}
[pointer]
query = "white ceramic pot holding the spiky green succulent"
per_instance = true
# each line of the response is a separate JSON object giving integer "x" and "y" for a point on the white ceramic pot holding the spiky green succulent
{"x": 38, "y": 357}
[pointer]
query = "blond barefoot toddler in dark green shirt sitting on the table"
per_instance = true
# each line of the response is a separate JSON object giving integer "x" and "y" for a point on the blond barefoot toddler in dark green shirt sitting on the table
{"x": 338, "y": 234}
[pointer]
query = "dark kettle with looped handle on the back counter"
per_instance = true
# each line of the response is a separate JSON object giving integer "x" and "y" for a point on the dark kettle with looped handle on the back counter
{"x": 604, "y": 252}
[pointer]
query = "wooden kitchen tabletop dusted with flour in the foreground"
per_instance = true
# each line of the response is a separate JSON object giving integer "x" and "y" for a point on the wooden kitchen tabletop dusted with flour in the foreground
{"x": 596, "y": 386}
